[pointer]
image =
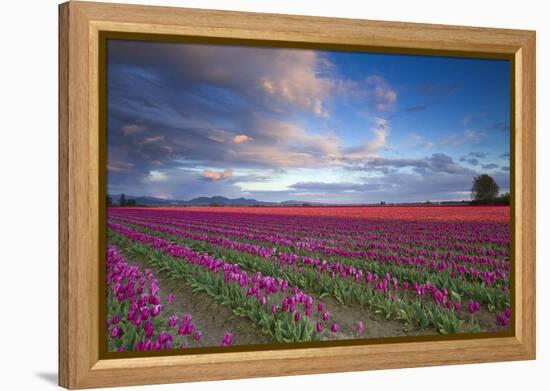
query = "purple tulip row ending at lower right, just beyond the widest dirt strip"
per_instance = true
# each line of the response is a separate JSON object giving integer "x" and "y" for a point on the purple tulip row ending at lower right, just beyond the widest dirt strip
{"x": 422, "y": 305}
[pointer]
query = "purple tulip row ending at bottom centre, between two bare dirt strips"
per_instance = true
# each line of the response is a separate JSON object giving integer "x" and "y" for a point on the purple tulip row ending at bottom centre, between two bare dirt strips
{"x": 268, "y": 302}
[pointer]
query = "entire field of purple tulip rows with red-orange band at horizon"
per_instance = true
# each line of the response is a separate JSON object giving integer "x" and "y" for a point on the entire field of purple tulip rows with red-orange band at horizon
{"x": 222, "y": 276}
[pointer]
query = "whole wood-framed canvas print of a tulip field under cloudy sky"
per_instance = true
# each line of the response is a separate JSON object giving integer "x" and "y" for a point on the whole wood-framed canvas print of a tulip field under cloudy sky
{"x": 251, "y": 195}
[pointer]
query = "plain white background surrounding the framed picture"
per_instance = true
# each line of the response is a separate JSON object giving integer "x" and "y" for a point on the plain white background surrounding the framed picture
{"x": 28, "y": 196}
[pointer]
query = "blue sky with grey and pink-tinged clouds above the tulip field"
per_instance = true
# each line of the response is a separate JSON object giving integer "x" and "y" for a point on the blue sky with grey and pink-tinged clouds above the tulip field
{"x": 275, "y": 124}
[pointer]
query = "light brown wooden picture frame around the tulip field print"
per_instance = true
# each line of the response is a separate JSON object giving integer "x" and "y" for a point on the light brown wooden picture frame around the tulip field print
{"x": 81, "y": 154}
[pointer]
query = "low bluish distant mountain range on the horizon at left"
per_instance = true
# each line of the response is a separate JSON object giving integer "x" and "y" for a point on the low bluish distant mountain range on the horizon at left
{"x": 206, "y": 201}
